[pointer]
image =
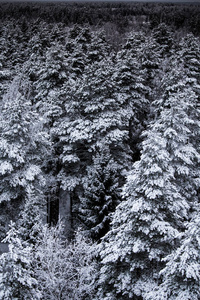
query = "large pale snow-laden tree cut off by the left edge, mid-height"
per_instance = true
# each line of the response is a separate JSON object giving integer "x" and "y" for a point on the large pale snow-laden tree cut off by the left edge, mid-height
{"x": 23, "y": 145}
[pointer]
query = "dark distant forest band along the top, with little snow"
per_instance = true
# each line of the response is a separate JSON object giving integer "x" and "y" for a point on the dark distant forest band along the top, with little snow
{"x": 185, "y": 16}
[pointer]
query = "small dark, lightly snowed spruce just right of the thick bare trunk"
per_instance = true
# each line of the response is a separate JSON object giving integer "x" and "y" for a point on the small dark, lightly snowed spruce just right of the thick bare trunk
{"x": 101, "y": 193}
